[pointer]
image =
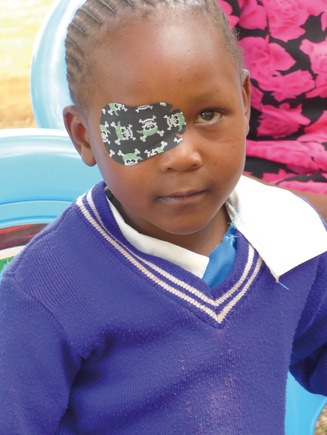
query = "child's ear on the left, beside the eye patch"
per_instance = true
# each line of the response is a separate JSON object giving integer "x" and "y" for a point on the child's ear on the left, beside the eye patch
{"x": 78, "y": 133}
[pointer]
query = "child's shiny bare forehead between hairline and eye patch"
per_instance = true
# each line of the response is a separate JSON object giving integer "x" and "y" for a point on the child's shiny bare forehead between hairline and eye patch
{"x": 134, "y": 65}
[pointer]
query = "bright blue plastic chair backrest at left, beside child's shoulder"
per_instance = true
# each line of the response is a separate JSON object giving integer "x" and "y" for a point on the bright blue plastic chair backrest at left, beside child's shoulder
{"x": 41, "y": 173}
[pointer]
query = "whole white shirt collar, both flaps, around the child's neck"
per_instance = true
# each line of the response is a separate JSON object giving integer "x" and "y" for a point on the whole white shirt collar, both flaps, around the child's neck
{"x": 284, "y": 229}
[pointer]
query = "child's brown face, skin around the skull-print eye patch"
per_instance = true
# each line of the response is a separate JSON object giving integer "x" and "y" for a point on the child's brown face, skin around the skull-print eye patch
{"x": 179, "y": 193}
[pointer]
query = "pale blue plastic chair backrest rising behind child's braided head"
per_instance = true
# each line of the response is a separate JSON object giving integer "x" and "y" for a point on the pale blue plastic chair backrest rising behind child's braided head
{"x": 49, "y": 87}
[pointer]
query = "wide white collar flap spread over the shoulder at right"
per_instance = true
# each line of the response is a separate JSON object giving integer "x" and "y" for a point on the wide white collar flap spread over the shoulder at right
{"x": 284, "y": 229}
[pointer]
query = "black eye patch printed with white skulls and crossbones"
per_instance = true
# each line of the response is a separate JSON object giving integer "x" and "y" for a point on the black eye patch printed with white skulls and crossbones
{"x": 132, "y": 134}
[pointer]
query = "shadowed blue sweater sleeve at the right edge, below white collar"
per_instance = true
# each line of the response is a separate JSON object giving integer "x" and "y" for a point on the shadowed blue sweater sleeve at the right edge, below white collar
{"x": 309, "y": 357}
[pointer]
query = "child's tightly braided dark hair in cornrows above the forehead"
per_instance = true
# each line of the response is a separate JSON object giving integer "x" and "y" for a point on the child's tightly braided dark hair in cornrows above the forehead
{"x": 94, "y": 18}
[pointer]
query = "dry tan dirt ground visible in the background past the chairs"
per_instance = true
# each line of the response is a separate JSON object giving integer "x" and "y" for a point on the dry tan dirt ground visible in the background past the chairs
{"x": 20, "y": 21}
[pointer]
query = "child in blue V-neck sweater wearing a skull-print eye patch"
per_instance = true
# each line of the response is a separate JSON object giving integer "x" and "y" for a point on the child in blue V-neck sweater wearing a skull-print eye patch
{"x": 173, "y": 297}
